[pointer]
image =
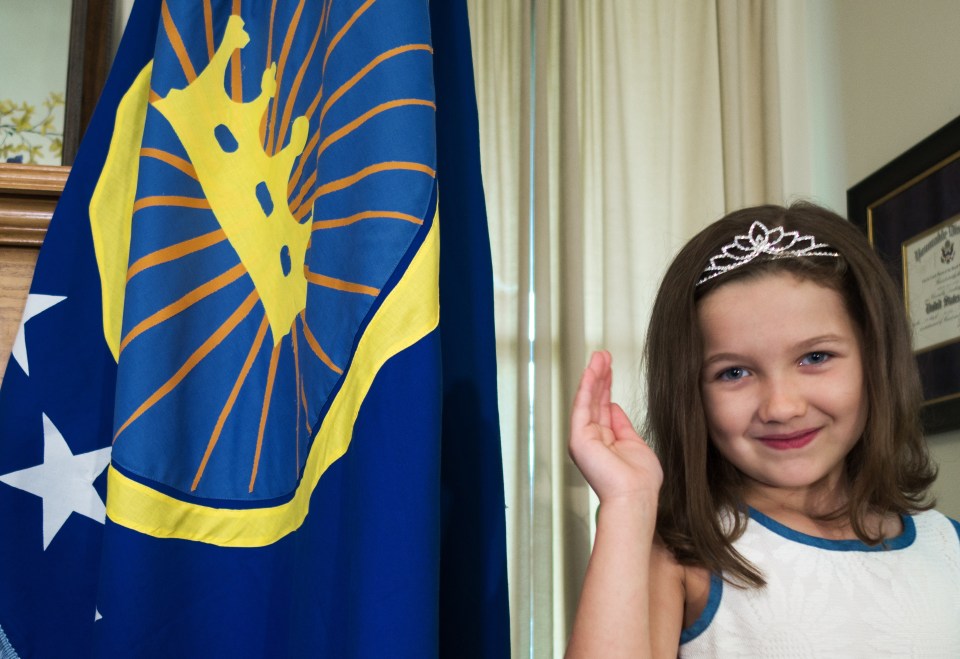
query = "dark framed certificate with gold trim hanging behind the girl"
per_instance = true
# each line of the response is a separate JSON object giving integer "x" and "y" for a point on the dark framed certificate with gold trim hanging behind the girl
{"x": 910, "y": 211}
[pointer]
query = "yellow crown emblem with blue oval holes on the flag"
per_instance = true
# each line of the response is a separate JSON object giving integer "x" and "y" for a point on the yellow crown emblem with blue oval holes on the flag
{"x": 246, "y": 187}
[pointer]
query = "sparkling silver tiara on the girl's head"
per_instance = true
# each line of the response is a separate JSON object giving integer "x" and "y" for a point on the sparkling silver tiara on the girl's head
{"x": 775, "y": 243}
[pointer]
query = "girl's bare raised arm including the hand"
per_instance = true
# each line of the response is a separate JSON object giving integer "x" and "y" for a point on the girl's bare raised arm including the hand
{"x": 614, "y": 615}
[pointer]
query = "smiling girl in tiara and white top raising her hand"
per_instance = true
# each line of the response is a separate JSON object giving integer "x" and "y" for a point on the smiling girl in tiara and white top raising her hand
{"x": 785, "y": 511}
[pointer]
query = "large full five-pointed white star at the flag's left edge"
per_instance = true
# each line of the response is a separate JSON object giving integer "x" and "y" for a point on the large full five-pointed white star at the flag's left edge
{"x": 64, "y": 481}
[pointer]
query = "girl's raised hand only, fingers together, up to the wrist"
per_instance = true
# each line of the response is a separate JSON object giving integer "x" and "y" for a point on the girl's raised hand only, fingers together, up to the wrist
{"x": 613, "y": 458}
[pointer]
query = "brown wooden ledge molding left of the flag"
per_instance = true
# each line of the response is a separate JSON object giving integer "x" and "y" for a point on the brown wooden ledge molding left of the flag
{"x": 28, "y": 195}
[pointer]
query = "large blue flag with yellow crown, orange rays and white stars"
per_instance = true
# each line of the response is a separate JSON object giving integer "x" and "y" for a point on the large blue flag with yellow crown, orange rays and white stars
{"x": 251, "y": 409}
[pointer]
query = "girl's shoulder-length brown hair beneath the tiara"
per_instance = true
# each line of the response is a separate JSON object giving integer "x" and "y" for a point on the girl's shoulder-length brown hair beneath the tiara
{"x": 889, "y": 470}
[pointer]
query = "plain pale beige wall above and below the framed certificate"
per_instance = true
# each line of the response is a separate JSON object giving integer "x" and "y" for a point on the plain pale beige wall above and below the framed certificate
{"x": 893, "y": 81}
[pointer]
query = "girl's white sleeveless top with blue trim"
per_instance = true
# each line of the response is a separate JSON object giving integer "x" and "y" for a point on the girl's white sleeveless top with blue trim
{"x": 837, "y": 598}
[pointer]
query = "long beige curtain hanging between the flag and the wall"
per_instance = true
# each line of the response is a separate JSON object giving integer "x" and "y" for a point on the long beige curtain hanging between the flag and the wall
{"x": 610, "y": 132}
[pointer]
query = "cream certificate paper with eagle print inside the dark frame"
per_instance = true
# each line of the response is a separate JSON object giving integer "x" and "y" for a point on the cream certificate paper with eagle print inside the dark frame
{"x": 931, "y": 280}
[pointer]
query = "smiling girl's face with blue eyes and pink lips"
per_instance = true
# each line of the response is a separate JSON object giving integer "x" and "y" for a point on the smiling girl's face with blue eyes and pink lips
{"x": 782, "y": 381}
